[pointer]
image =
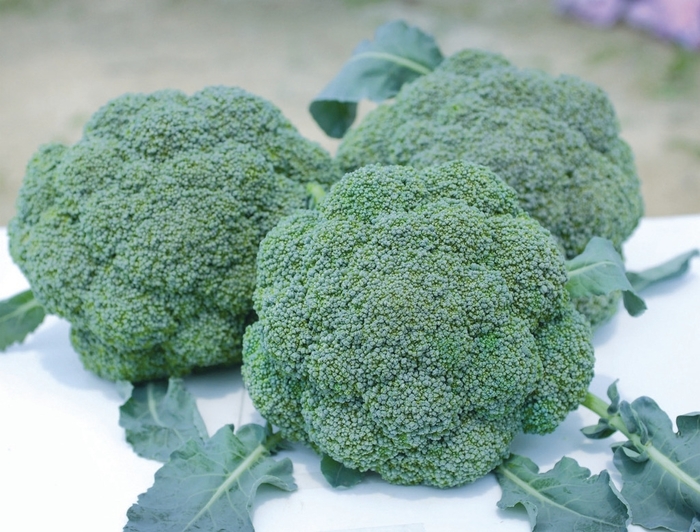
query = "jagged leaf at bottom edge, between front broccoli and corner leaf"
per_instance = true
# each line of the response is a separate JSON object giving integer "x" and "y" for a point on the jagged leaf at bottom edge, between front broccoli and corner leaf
{"x": 565, "y": 498}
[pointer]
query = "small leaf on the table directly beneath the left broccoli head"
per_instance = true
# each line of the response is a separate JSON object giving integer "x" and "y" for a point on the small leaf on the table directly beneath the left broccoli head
{"x": 161, "y": 417}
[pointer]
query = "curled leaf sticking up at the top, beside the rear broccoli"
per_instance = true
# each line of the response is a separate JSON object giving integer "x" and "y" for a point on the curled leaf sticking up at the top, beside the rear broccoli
{"x": 376, "y": 71}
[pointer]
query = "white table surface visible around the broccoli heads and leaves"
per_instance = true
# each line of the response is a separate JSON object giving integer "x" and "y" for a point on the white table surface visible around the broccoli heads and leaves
{"x": 65, "y": 465}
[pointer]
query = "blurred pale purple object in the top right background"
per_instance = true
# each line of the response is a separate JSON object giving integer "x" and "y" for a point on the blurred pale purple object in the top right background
{"x": 673, "y": 20}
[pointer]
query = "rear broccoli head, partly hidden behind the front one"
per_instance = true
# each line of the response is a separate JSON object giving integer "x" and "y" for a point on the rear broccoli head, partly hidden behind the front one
{"x": 554, "y": 140}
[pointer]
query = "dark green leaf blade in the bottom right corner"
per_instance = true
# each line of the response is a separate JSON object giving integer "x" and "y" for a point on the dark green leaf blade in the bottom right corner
{"x": 661, "y": 480}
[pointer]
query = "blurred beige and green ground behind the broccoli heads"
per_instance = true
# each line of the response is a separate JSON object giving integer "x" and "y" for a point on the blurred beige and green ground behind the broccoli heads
{"x": 60, "y": 60}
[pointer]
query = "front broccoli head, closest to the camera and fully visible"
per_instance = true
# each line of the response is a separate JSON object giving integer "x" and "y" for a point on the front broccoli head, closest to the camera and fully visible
{"x": 414, "y": 324}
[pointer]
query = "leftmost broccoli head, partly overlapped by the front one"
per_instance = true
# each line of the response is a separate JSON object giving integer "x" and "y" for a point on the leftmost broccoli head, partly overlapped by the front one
{"x": 143, "y": 235}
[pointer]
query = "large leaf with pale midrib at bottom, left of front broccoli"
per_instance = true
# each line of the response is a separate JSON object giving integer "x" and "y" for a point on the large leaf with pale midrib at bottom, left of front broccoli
{"x": 210, "y": 485}
